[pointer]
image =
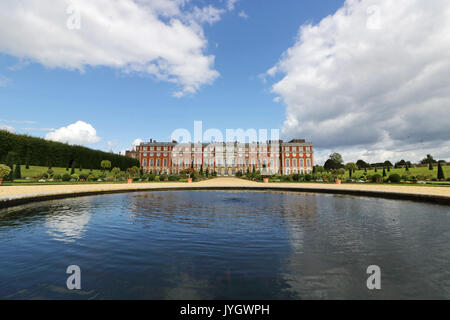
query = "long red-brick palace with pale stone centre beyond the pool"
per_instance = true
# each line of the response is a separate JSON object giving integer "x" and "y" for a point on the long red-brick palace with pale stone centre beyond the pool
{"x": 226, "y": 159}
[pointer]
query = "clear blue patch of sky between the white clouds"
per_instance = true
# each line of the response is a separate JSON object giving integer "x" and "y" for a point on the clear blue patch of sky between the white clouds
{"x": 124, "y": 107}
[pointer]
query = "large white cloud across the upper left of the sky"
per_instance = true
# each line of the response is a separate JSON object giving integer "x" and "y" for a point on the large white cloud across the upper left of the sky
{"x": 162, "y": 38}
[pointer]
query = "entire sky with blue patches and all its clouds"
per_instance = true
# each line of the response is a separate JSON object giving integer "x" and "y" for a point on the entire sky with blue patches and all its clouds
{"x": 355, "y": 76}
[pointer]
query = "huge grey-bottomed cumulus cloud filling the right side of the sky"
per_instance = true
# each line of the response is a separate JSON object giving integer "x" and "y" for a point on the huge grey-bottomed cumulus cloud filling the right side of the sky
{"x": 370, "y": 79}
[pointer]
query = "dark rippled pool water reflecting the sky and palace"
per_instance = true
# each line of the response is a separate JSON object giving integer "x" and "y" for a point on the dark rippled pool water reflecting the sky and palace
{"x": 225, "y": 245}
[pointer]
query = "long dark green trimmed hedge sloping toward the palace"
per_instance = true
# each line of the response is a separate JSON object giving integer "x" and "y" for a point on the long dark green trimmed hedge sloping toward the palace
{"x": 41, "y": 152}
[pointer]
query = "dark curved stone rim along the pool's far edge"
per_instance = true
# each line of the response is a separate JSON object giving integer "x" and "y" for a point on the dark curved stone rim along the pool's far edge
{"x": 424, "y": 198}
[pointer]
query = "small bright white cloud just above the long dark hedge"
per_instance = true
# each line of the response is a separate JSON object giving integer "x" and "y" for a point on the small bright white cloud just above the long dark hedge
{"x": 79, "y": 133}
